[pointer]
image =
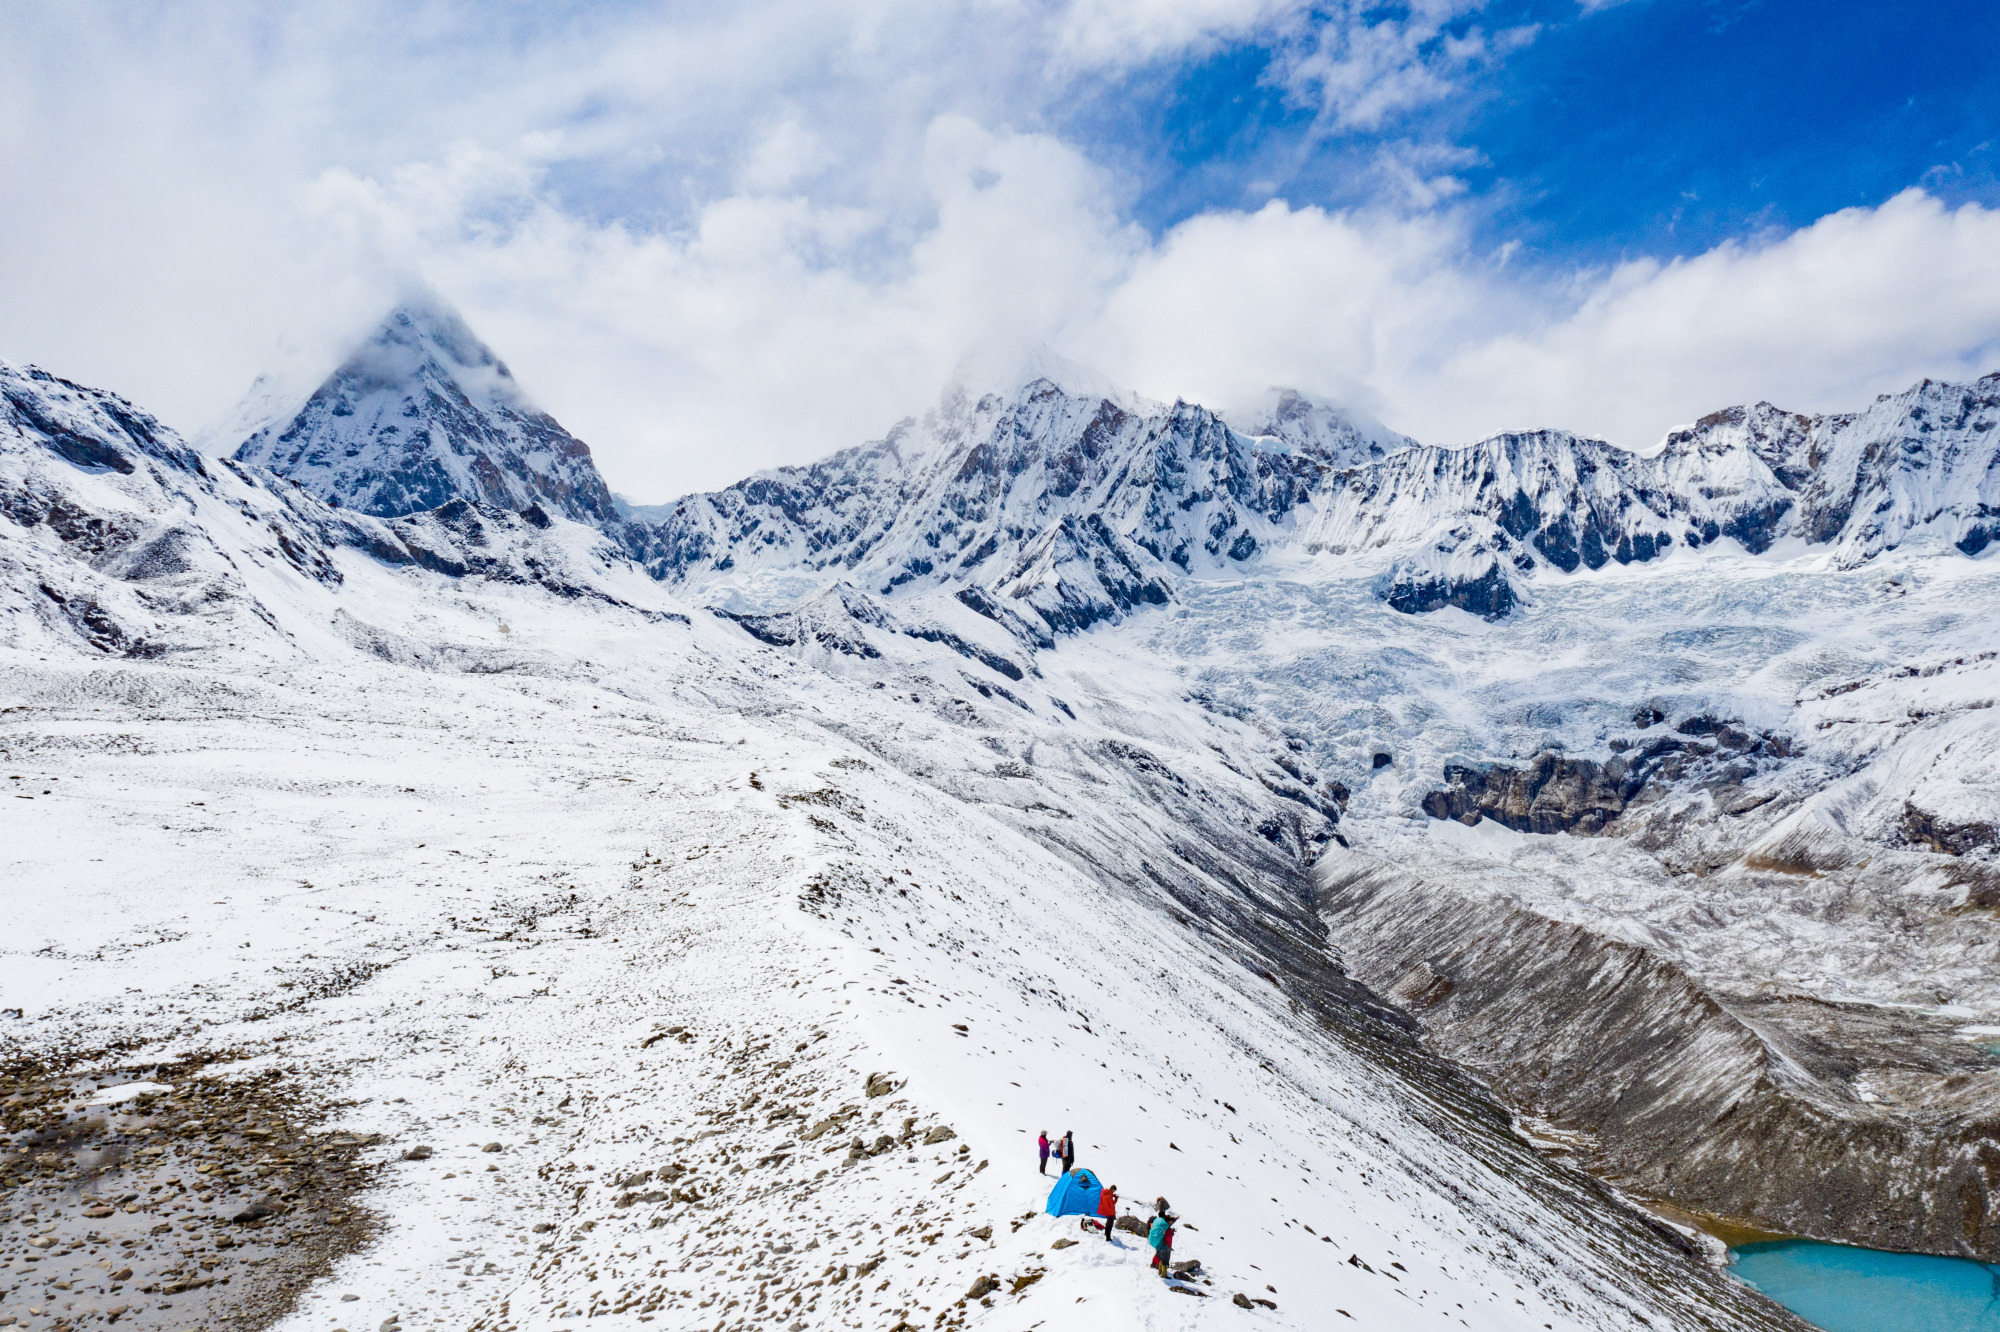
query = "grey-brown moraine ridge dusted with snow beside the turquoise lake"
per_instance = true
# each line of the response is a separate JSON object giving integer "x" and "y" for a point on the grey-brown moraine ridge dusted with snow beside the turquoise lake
{"x": 1743, "y": 1109}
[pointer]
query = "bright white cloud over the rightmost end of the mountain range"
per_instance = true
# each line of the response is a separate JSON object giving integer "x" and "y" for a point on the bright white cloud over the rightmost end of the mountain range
{"x": 1861, "y": 303}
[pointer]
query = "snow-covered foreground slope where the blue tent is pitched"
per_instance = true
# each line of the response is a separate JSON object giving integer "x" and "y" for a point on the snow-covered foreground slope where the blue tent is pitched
{"x": 483, "y": 835}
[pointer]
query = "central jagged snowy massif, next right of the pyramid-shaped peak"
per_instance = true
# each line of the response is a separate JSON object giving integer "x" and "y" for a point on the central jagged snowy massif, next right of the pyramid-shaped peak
{"x": 1079, "y": 509}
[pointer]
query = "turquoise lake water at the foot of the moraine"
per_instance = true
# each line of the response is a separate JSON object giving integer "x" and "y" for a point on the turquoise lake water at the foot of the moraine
{"x": 1847, "y": 1289}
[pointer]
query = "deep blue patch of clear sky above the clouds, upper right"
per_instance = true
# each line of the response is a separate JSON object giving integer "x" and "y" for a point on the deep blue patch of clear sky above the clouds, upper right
{"x": 1653, "y": 127}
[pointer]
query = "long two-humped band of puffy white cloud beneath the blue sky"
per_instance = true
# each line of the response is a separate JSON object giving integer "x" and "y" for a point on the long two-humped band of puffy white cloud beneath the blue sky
{"x": 1405, "y": 319}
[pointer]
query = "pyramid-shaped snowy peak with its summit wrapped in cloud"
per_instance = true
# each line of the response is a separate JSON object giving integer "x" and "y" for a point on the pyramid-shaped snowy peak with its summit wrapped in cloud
{"x": 423, "y": 415}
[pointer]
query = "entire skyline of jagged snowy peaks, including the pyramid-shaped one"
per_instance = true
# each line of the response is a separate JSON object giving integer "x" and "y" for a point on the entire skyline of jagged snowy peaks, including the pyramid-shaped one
{"x": 1053, "y": 489}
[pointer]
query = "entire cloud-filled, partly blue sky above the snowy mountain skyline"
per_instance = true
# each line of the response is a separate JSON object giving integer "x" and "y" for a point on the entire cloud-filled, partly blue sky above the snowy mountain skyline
{"x": 723, "y": 239}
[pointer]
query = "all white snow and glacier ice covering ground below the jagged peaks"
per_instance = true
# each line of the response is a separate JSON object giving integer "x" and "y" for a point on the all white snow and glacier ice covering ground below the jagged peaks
{"x": 459, "y": 817}
